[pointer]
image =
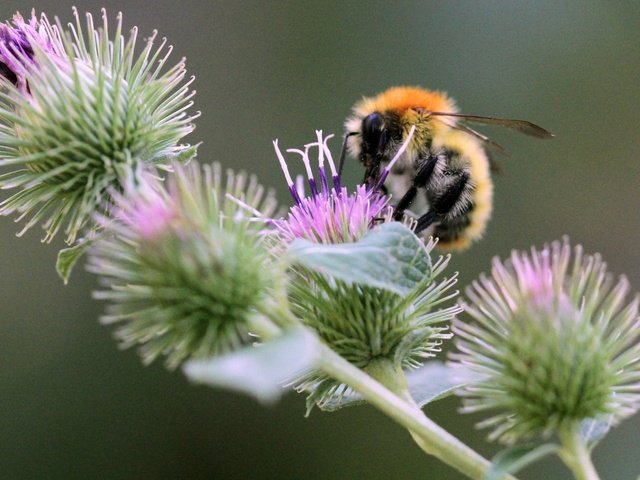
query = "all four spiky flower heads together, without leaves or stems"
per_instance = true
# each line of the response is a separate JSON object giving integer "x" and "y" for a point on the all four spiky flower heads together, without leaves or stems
{"x": 186, "y": 268}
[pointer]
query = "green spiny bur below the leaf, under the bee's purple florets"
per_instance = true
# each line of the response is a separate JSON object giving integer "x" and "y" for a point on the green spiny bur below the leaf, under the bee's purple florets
{"x": 366, "y": 325}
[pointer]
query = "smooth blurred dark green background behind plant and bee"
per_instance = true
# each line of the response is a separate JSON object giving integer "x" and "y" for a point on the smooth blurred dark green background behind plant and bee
{"x": 74, "y": 406}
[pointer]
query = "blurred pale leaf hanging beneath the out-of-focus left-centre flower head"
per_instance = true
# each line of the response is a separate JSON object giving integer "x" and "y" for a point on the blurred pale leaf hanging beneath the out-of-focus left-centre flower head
{"x": 260, "y": 371}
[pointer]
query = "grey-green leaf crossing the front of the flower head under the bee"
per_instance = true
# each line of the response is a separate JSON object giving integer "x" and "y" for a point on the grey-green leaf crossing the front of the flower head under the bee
{"x": 390, "y": 257}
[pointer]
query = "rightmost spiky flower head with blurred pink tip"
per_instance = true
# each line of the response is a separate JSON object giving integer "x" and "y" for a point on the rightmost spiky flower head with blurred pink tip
{"x": 553, "y": 343}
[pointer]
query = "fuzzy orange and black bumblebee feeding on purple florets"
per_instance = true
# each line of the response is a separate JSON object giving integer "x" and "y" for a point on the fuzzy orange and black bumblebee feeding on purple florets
{"x": 444, "y": 170}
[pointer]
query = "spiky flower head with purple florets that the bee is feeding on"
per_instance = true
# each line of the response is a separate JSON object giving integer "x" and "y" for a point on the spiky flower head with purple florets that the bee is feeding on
{"x": 382, "y": 330}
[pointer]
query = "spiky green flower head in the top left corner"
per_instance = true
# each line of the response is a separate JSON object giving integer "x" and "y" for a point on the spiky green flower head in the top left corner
{"x": 87, "y": 110}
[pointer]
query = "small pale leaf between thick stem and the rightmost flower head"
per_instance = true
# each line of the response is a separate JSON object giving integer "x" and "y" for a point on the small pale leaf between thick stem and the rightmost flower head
{"x": 434, "y": 381}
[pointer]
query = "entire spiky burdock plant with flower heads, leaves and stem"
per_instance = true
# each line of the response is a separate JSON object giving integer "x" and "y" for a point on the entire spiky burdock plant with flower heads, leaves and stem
{"x": 332, "y": 298}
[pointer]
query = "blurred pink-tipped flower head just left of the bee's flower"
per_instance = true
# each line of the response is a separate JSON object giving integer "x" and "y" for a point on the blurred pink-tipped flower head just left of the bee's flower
{"x": 183, "y": 268}
